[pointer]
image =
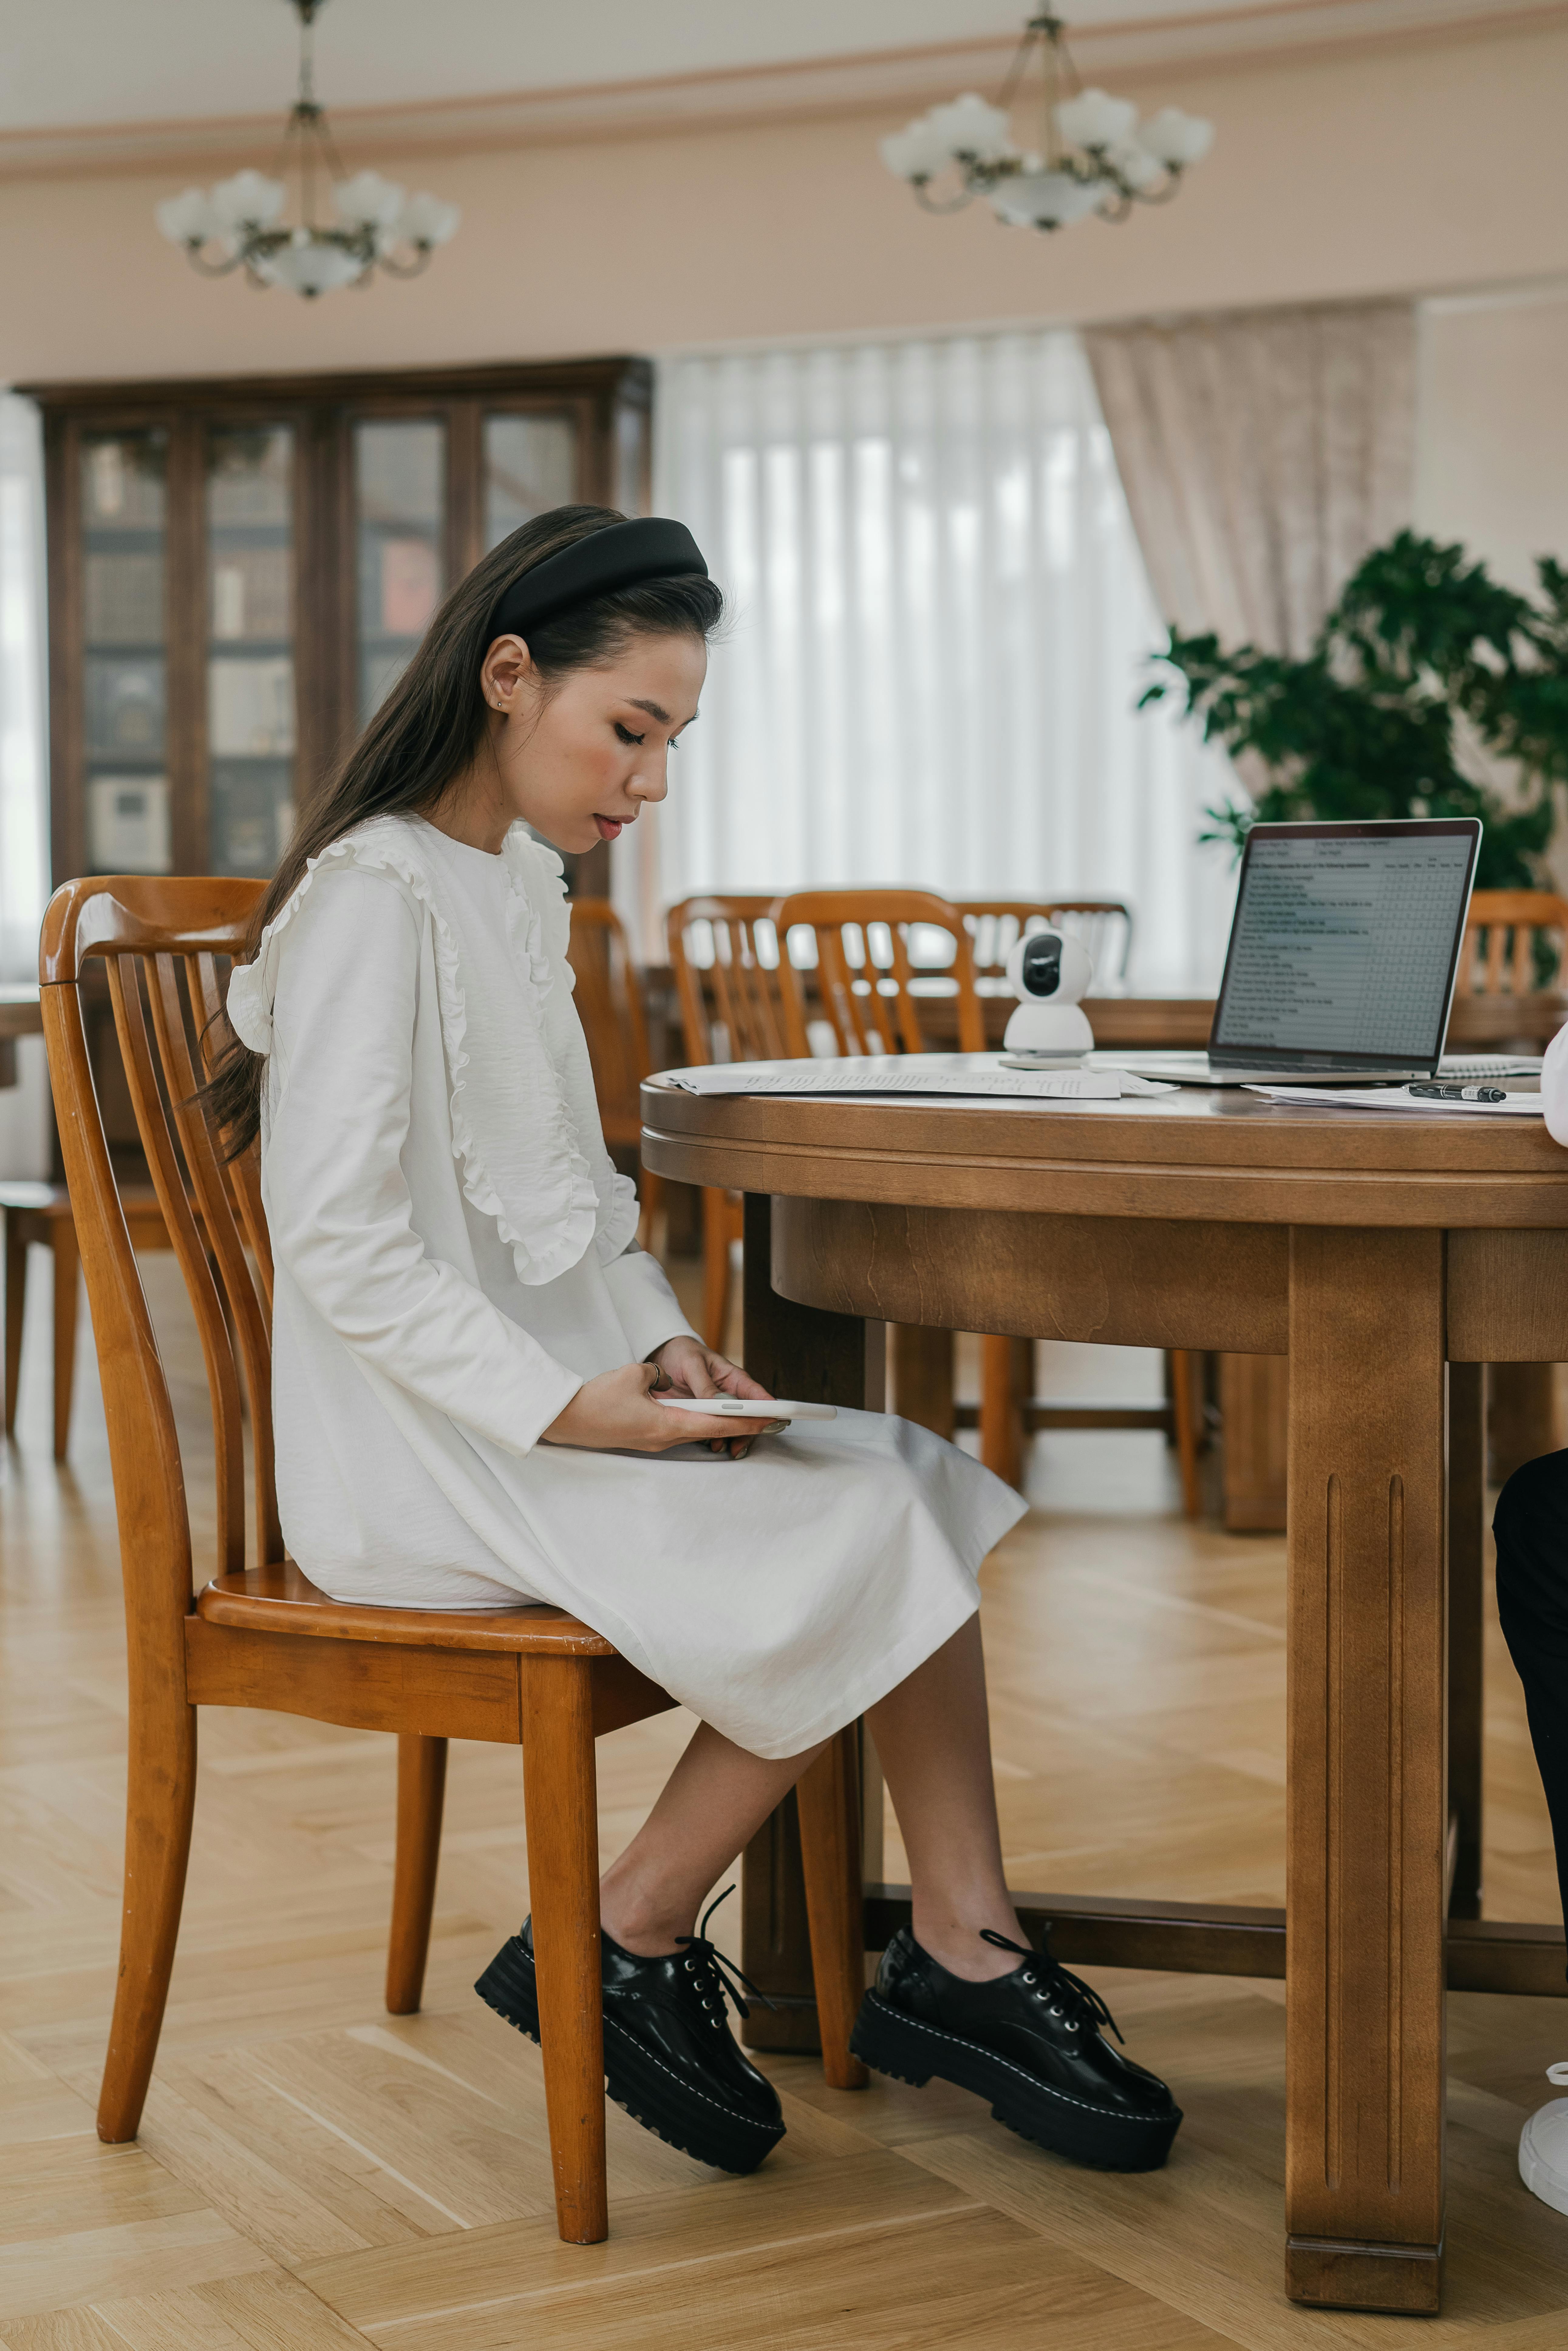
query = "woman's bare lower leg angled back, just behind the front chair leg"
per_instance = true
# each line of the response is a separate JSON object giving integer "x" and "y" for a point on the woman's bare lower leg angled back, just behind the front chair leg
{"x": 711, "y": 1804}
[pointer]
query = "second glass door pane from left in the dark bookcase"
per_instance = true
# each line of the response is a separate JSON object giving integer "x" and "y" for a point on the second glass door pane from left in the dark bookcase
{"x": 250, "y": 648}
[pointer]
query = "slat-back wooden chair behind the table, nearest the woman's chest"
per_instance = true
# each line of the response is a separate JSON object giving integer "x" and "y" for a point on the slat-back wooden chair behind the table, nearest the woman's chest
{"x": 725, "y": 963}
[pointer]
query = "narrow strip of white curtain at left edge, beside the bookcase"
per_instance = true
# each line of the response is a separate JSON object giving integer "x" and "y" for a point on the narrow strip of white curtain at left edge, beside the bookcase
{"x": 25, "y": 796}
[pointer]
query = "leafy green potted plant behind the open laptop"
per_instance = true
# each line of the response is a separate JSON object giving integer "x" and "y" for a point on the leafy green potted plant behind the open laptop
{"x": 1423, "y": 674}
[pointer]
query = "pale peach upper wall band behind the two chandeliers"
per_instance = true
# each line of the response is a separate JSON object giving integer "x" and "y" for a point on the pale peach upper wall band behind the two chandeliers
{"x": 1360, "y": 173}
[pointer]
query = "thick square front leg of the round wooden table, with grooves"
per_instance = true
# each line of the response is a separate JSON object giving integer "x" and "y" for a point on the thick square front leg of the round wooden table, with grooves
{"x": 1367, "y": 1809}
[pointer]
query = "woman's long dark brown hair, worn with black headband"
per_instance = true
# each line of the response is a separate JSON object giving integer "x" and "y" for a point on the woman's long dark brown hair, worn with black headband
{"x": 434, "y": 725}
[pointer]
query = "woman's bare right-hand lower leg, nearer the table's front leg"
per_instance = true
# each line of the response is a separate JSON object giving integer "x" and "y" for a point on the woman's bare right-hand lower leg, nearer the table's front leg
{"x": 934, "y": 1743}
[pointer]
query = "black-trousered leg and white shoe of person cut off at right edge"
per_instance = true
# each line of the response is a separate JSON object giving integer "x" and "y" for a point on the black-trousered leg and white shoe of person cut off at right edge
{"x": 1532, "y": 1529}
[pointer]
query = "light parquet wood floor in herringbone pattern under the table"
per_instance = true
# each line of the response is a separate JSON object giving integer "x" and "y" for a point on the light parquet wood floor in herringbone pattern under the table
{"x": 316, "y": 2176}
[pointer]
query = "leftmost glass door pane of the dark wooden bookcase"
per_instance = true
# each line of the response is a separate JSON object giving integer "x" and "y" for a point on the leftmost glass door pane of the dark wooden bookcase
{"x": 123, "y": 488}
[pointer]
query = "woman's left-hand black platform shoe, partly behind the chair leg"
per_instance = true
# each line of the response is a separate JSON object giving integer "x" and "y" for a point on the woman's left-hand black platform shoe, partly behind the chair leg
{"x": 669, "y": 2051}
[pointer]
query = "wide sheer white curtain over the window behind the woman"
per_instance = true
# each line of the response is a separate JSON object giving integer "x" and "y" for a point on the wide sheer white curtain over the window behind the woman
{"x": 942, "y": 629}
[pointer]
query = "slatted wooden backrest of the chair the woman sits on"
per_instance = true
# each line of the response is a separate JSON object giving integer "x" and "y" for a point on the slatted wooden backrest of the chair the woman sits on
{"x": 168, "y": 946}
